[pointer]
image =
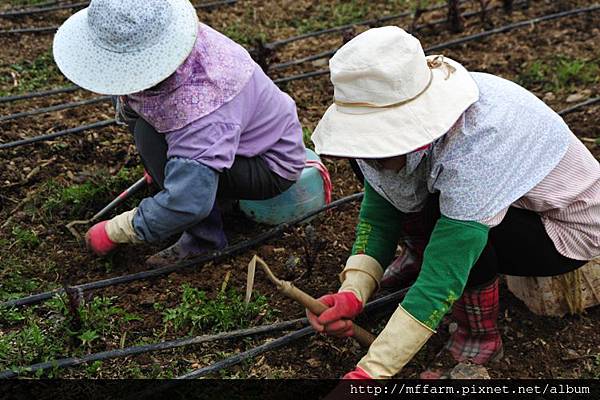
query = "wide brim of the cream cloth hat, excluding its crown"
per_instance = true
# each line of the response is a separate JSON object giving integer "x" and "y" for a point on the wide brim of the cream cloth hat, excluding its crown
{"x": 364, "y": 132}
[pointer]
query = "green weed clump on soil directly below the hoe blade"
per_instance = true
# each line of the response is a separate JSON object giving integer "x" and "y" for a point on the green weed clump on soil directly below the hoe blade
{"x": 225, "y": 312}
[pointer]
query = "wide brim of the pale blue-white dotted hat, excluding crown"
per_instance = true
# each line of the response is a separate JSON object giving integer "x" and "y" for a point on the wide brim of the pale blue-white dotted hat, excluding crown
{"x": 103, "y": 71}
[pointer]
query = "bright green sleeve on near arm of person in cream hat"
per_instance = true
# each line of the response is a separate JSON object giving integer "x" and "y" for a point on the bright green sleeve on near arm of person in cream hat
{"x": 452, "y": 251}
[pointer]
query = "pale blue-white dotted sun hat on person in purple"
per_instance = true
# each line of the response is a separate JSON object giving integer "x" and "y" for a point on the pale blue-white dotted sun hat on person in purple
{"x": 119, "y": 47}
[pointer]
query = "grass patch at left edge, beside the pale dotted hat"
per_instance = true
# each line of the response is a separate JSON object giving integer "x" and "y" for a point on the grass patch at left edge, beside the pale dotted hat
{"x": 29, "y": 75}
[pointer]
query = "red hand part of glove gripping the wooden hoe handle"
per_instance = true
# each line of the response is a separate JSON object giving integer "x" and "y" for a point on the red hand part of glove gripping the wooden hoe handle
{"x": 335, "y": 321}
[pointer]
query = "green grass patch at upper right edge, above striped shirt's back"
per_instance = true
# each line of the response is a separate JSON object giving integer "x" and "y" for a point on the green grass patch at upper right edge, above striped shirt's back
{"x": 558, "y": 74}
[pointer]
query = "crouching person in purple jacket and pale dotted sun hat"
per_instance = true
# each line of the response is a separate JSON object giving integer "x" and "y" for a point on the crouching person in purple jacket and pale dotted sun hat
{"x": 207, "y": 121}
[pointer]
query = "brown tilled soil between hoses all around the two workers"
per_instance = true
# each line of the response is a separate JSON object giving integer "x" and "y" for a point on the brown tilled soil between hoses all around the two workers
{"x": 534, "y": 346}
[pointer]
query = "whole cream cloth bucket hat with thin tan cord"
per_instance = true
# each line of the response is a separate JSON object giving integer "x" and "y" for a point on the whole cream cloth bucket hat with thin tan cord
{"x": 389, "y": 99}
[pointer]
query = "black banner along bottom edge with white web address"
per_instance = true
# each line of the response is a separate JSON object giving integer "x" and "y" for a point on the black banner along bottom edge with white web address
{"x": 299, "y": 389}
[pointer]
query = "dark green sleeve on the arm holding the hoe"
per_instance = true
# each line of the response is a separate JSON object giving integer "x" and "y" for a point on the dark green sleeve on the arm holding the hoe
{"x": 378, "y": 229}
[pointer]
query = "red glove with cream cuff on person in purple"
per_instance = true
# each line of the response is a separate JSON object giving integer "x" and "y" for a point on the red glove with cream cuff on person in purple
{"x": 105, "y": 236}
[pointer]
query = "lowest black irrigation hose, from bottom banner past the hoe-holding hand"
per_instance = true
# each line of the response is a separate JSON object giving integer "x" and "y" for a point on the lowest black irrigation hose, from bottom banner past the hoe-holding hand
{"x": 282, "y": 341}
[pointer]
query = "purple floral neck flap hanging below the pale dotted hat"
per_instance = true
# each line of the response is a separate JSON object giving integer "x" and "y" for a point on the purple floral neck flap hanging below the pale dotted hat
{"x": 214, "y": 73}
